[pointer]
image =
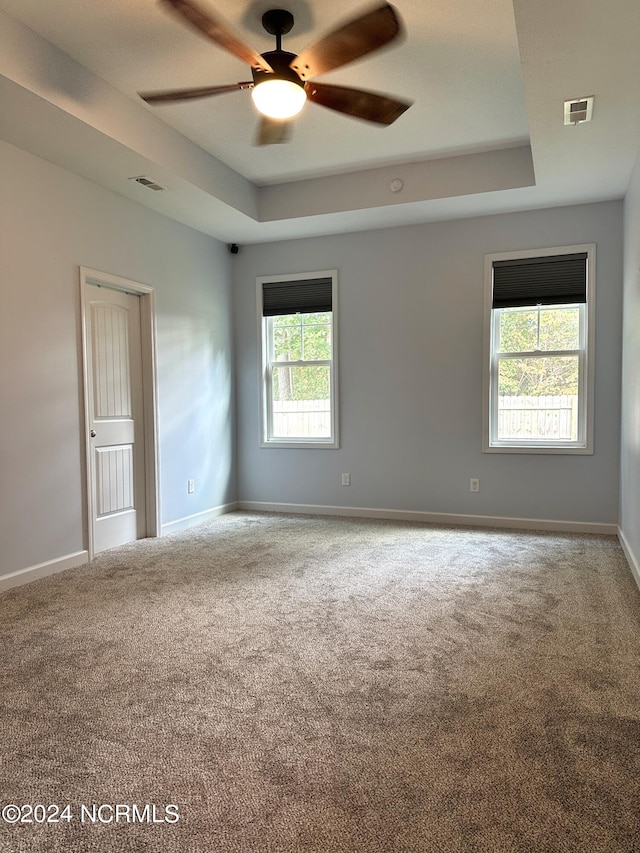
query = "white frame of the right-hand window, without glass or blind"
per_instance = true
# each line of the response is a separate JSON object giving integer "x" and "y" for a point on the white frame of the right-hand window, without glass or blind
{"x": 584, "y": 443}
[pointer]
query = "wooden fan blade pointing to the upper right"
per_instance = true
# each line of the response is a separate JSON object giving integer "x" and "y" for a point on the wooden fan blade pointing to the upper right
{"x": 351, "y": 41}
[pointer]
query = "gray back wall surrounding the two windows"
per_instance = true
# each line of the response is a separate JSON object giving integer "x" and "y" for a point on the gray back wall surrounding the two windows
{"x": 411, "y": 335}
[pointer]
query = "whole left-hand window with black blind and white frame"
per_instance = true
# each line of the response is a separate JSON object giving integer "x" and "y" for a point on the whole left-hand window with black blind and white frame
{"x": 298, "y": 322}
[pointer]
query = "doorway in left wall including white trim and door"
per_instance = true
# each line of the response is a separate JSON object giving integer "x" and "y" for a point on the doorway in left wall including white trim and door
{"x": 120, "y": 408}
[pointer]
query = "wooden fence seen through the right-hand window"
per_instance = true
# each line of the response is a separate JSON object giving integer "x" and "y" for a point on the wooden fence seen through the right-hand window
{"x": 545, "y": 417}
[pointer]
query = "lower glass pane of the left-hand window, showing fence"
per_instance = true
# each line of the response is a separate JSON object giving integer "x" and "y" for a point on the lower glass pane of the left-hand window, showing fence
{"x": 301, "y": 402}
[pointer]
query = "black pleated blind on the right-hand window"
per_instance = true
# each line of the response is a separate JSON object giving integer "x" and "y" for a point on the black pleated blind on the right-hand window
{"x": 552, "y": 280}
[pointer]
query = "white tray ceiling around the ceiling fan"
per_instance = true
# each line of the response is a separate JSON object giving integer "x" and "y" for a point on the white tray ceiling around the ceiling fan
{"x": 485, "y": 133}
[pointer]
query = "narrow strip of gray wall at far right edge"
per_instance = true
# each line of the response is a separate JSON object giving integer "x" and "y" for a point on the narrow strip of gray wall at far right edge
{"x": 630, "y": 456}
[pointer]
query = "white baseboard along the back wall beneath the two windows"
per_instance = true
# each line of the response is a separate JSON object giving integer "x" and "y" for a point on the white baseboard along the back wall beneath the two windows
{"x": 436, "y": 517}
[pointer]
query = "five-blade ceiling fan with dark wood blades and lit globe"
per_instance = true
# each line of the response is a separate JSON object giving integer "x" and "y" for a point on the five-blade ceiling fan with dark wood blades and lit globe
{"x": 282, "y": 81}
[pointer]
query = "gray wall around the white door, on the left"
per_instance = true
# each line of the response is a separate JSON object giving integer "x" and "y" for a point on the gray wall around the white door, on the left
{"x": 51, "y": 222}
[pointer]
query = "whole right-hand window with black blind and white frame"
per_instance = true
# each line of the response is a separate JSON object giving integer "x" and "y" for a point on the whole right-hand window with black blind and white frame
{"x": 538, "y": 387}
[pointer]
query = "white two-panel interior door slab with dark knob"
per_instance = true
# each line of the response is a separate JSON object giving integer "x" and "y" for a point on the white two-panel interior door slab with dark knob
{"x": 115, "y": 416}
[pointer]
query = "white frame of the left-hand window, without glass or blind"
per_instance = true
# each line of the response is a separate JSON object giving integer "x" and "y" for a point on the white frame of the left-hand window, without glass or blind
{"x": 266, "y": 438}
